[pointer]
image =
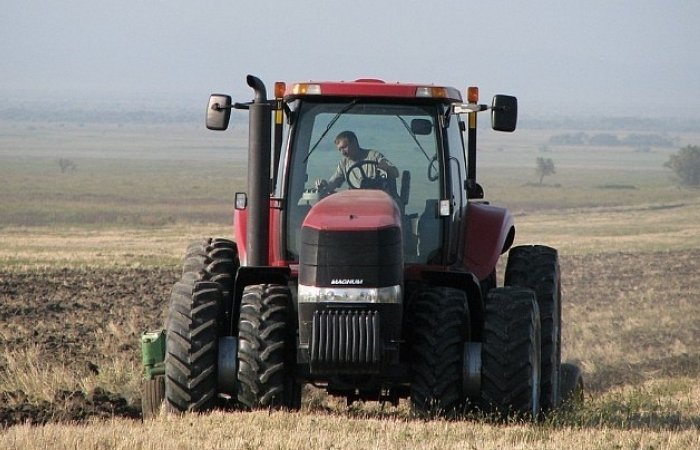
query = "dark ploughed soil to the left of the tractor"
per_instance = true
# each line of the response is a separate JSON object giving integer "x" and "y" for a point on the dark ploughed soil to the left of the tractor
{"x": 81, "y": 320}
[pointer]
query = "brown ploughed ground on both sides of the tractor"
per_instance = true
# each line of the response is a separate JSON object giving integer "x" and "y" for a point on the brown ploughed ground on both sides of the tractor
{"x": 640, "y": 306}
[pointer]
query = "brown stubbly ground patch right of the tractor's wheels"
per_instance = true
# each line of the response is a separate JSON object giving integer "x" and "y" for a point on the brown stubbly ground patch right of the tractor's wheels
{"x": 632, "y": 318}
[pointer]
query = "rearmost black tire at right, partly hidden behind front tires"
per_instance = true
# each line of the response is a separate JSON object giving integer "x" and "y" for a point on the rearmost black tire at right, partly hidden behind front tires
{"x": 537, "y": 267}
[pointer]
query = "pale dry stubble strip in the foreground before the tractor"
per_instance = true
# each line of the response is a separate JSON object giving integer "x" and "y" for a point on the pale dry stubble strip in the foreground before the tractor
{"x": 323, "y": 431}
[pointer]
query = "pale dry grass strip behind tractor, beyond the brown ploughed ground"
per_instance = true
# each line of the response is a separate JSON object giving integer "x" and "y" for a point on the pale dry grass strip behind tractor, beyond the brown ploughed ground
{"x": 580, "y": 231}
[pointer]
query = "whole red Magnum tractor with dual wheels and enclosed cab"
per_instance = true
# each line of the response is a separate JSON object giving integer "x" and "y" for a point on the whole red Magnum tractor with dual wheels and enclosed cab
{"x": 369, "y": 271}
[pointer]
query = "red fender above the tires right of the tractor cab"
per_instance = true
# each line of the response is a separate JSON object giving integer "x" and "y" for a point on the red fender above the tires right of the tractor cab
{"x": 490, "y": 233}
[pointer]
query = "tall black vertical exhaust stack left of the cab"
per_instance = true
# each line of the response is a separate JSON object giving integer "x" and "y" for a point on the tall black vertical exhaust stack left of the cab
{"x": 259, "y": 149}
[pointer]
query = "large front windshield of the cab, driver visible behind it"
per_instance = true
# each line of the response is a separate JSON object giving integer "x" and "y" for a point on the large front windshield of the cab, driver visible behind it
{"x": 393, "y": 136}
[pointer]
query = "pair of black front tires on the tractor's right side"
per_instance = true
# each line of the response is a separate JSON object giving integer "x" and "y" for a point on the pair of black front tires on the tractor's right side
{"x": 510, "y": 353}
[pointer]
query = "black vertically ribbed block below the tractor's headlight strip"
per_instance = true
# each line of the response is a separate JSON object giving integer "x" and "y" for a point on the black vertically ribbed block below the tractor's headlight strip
{"x": 345, "y": 341}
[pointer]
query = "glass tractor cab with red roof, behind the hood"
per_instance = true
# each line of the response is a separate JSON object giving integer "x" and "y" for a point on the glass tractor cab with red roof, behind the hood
{"x": 417, "y": 129}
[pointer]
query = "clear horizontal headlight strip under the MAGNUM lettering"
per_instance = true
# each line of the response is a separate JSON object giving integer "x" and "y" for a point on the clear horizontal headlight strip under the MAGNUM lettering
{"x": 313, "y": 294}
